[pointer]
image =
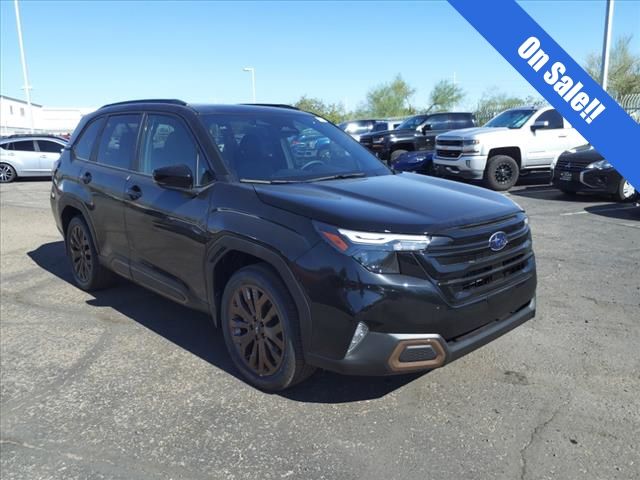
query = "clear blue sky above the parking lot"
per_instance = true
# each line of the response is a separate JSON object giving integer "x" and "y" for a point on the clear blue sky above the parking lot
{"x": 85, "y": 54}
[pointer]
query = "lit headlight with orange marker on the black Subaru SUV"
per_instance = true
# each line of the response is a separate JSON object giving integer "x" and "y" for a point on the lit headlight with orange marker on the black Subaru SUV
{"x": 374, "y": 251}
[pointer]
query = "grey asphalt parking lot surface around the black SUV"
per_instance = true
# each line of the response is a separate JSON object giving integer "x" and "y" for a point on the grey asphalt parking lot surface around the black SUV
{"x": 124, "y": 384}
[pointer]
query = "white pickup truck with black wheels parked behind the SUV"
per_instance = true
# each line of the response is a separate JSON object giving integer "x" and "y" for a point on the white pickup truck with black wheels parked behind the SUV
{"x": 515, "y": 142}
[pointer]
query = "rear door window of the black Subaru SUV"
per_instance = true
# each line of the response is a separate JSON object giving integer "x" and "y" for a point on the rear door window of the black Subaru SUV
{"x": 118, "y": 141}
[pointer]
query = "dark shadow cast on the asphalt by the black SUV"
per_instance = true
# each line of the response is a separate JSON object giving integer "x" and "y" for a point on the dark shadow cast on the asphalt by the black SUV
{"x": 194, "y": 331}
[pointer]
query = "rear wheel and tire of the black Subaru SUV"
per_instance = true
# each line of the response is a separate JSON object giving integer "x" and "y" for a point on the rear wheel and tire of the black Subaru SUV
{"x": 86, "y": 269}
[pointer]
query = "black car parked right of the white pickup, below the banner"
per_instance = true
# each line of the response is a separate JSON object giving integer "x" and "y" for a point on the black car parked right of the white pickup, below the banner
{"x": 584, "y": 170}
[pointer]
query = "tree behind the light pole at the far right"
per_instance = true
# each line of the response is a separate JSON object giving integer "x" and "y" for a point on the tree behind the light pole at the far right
{"x": 624, "y": 68}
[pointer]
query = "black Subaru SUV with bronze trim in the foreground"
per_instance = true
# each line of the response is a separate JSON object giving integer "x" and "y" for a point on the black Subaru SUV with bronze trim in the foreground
{"x": 337, "y": 263}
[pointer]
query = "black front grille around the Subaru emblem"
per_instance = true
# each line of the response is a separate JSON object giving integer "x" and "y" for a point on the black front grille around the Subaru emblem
{"x": 465, "y": 267}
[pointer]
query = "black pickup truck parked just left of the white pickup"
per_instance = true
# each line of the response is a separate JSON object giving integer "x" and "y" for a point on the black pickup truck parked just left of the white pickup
{"x": 414, "y": 134}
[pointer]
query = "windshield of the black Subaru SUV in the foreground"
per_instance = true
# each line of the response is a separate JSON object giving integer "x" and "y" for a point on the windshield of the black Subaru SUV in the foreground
{"x": 286, "y": 147}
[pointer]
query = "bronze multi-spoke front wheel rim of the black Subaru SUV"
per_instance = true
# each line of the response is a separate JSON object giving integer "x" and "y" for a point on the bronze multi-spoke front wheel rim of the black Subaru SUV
{"x": 256, "y": 330}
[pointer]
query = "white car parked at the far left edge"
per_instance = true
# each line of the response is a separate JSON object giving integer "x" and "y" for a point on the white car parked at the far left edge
{"x": 28, "y": 156}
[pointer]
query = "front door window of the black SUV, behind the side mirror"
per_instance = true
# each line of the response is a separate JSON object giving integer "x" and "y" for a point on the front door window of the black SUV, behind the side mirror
{"x": 168, "y": 142}
